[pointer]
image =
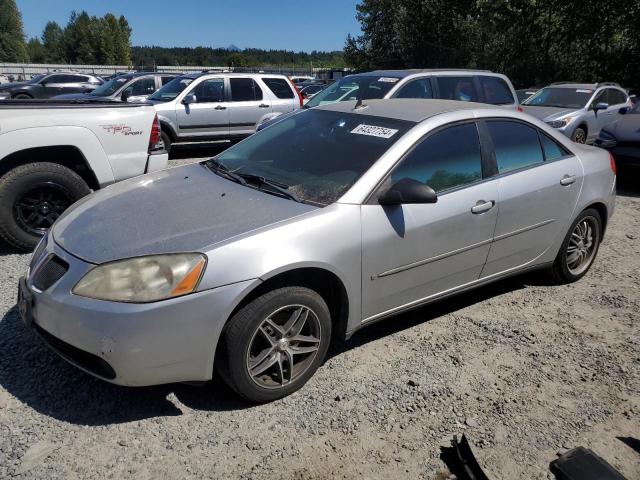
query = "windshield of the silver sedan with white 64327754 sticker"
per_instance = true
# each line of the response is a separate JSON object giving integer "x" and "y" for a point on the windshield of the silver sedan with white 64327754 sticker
{"x": 316, "y": 155}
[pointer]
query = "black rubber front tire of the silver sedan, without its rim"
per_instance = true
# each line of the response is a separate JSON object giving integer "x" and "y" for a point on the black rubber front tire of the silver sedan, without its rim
{"x": 238, "y": 339}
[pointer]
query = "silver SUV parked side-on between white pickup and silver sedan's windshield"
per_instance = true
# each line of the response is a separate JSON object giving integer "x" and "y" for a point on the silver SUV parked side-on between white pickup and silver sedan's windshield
{"x": 212, "y": 106}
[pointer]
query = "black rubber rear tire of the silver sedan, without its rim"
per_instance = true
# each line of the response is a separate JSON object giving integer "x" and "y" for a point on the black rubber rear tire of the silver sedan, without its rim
{"x": 560, "y": 271}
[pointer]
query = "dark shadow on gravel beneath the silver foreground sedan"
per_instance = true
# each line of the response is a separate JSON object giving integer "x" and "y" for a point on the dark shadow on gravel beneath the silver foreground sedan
{"x": 40, "y": 379}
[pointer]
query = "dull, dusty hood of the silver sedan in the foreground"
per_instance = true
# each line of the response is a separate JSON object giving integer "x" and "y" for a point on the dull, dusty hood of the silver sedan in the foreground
{"x": 183, "y": 209}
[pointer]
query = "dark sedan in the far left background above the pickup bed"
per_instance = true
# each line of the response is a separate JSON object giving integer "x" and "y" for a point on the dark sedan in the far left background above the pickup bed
{"x": 49, "y": 85}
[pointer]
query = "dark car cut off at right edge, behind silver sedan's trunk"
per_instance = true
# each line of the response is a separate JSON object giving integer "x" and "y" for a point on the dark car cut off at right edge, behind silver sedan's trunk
{"x": 622, "y": 138}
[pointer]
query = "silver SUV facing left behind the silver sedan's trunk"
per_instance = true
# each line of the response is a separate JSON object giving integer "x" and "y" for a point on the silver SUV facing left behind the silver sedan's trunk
{"x": 578, "y": 110}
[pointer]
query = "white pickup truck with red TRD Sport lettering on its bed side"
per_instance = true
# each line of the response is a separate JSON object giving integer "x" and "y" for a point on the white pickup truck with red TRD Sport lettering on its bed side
{"x": 52, "y": 153}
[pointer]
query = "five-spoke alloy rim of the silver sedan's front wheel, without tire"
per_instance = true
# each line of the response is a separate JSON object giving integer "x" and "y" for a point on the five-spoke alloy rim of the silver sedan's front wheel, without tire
{"x": 284, "y": 346}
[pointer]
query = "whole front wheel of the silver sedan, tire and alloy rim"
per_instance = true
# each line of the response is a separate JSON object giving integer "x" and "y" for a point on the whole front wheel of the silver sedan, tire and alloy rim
{"x": 275, "y": 343}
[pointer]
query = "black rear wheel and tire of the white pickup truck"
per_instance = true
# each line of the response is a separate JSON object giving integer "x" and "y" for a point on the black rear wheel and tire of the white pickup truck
{"x": 60, "y": 187}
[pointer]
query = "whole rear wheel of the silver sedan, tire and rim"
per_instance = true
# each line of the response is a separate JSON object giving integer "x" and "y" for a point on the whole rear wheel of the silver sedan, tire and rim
{"x": 579, "y": 249}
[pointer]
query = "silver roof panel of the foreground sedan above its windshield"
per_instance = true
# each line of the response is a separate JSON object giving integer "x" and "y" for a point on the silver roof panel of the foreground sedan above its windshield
{"x": 409, "y": 109}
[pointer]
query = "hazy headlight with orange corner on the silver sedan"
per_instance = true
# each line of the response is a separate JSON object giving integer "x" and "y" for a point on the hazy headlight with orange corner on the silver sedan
{"x": 143, "y": 279}
